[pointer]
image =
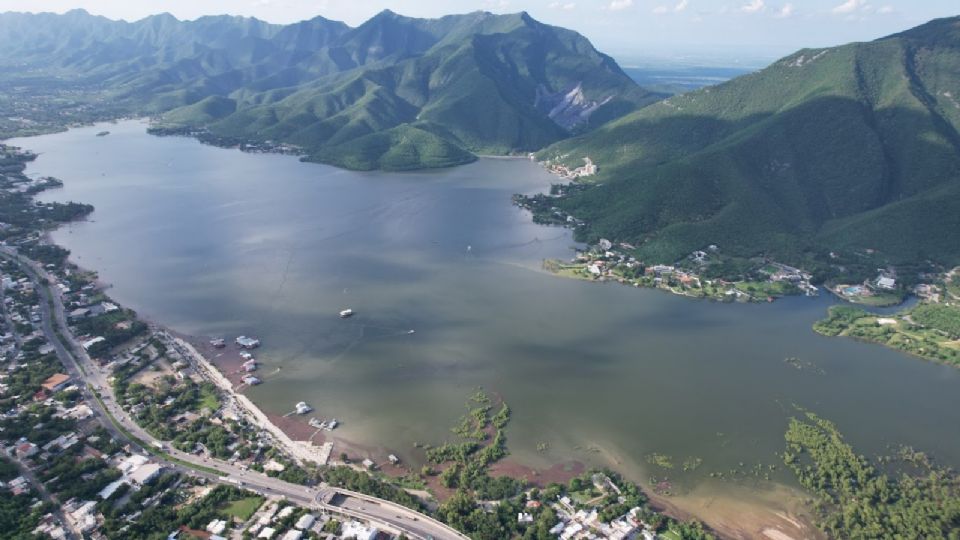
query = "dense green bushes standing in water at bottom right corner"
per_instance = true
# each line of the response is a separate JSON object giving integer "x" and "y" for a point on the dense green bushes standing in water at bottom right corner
{"x": 908, "y": 498}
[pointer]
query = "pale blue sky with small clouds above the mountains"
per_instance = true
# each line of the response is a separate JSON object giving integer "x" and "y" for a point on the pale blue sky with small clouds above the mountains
{"x": 720, "y": 31}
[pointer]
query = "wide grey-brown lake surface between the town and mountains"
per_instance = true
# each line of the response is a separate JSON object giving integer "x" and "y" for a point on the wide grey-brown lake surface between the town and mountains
{"x": 215, "y": 242}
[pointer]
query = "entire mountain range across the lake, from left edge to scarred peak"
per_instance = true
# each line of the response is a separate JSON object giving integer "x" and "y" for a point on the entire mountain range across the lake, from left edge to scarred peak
{"x": 395, "y": 92}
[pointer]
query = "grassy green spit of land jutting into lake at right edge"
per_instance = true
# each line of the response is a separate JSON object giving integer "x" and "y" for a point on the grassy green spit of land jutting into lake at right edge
{"x": 930, "y": 331}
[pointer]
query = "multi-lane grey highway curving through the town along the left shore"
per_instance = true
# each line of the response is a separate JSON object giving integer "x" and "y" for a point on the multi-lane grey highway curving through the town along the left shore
{"x": 78, "y": 364}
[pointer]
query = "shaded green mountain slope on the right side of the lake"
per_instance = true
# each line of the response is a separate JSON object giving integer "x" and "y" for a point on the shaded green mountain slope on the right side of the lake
{"x": 846, "y": 148}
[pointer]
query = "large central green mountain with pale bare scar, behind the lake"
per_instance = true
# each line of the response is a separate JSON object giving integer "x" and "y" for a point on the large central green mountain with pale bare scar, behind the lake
{"x": 444, "y": 89}
